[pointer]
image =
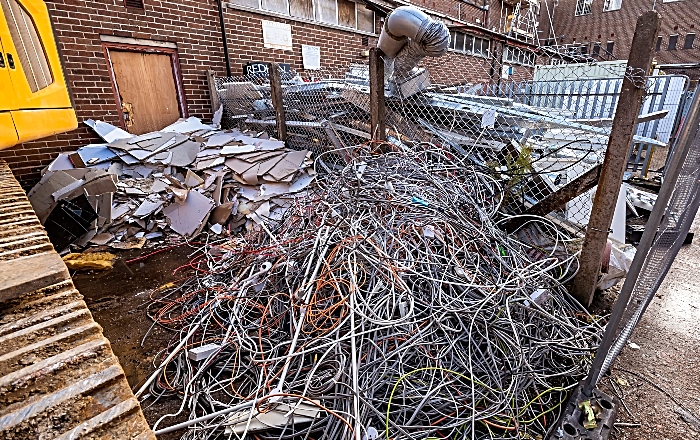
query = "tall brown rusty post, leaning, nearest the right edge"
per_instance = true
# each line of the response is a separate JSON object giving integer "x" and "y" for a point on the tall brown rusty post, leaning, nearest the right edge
{"x": 624, "y": 125}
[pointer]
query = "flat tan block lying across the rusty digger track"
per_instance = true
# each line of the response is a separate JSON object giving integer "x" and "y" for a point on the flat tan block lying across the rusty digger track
{"x": 46, "y": 269}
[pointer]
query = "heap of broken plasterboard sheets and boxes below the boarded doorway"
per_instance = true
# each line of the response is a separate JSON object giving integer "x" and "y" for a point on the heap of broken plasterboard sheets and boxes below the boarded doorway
{"x": 178, "y": 180}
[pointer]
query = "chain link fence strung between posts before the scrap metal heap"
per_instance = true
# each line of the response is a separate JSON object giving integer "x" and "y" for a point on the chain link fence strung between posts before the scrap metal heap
{"x": 532, "y": 116}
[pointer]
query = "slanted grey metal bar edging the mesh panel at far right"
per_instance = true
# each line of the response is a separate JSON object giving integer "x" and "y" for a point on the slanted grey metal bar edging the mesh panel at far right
{"x": 686, "y": 139}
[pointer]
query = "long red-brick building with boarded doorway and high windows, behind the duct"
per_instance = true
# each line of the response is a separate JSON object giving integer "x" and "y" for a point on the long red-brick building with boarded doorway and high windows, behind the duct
{"x": 189, "y": 31}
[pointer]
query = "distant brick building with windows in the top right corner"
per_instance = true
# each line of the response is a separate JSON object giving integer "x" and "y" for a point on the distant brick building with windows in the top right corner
{"x": 611, "y": 23}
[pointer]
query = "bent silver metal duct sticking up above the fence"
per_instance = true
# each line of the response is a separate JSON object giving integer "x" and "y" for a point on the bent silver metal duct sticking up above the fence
{"x": 408, "y": 36}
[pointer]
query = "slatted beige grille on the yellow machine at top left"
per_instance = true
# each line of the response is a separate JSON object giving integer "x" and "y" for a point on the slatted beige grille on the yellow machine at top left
{"x": 26, "y": 40}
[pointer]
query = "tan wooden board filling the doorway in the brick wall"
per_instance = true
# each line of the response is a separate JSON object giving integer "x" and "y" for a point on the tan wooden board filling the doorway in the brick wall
{"x": 147, "y": 90}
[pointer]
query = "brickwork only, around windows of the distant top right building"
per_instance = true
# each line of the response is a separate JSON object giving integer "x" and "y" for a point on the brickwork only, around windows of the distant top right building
{"x": 680, "y": 17}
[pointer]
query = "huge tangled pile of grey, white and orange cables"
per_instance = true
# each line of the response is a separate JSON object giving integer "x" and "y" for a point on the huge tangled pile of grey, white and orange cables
{"x": 385, "y": 304}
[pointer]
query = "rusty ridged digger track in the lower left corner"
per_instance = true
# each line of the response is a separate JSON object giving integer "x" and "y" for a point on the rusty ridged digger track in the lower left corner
{"x": 59, "y": 378}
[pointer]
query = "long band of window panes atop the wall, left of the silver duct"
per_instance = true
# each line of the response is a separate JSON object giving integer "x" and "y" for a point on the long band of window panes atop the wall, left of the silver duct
{"x": 346, "y": 13}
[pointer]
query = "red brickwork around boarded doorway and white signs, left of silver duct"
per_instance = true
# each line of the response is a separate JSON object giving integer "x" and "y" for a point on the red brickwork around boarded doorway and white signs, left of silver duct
{"x": 193, "y": 25}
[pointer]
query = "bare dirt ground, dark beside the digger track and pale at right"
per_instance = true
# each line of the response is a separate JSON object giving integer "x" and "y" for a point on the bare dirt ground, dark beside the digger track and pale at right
{"x": 667, "y": 362}
